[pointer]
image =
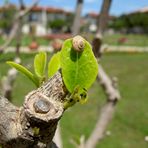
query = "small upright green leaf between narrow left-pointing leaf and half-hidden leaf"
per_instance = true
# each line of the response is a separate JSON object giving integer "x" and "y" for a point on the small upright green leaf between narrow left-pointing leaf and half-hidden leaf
{"x": 40, "y": 64}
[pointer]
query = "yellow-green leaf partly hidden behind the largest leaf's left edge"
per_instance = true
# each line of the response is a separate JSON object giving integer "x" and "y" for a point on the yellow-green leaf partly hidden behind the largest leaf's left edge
{"x": 54, "y": 64}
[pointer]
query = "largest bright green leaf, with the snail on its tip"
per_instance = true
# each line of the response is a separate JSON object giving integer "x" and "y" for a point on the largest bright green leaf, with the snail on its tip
{"x": 78, "y": 68}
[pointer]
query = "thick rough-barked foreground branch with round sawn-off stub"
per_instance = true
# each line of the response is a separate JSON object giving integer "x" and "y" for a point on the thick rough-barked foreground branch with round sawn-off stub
{"x": 34, "y": 124}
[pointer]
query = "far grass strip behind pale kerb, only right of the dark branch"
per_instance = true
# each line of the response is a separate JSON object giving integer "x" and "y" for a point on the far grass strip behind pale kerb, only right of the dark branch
{"x": 131, "y": 39}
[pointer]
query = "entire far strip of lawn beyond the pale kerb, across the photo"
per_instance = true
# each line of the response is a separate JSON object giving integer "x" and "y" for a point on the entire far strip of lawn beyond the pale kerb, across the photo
{"x": 131, "y": 40}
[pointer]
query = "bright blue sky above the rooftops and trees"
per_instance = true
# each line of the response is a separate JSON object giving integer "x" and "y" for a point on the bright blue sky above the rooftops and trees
{"x": 118, "y": 7}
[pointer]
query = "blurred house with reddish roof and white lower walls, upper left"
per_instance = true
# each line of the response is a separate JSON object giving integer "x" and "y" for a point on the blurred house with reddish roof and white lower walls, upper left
{"x": 36, "y": 20}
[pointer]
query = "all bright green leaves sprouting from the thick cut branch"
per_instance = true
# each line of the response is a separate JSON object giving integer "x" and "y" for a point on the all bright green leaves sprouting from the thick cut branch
{"x": 79, "y": 70}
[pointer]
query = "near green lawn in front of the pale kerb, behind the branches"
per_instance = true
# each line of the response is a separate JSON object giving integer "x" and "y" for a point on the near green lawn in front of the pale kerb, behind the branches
{"x": 130, "y": 123}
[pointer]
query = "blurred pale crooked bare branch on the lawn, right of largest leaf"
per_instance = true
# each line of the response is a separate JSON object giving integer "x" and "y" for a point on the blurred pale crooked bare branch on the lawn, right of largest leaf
{"x": 107, "y": 111}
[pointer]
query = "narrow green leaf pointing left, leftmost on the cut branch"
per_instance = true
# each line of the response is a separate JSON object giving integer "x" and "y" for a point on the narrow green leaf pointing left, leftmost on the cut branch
{"x": 25, "y": 71}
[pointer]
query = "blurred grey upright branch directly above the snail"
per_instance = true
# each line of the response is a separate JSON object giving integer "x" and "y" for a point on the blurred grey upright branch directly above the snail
{"x": 76, "y": 23}
